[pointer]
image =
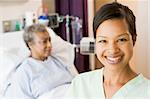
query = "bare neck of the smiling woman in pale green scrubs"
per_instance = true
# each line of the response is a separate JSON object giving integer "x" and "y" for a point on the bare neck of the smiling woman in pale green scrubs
{"x": 118, "y": 76}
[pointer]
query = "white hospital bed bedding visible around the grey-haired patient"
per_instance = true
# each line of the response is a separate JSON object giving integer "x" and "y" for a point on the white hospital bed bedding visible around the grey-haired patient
{"x": 13, "y": 51}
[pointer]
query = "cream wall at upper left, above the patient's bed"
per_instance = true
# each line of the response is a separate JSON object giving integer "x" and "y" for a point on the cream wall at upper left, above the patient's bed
{"x": 16, "y": 10}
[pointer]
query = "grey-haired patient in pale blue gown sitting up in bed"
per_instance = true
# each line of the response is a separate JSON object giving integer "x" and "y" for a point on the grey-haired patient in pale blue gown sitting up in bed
{"x": 40, "y": 72}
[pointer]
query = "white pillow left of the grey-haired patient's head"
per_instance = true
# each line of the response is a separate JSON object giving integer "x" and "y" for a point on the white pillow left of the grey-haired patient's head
{"x": 13, "y": 43}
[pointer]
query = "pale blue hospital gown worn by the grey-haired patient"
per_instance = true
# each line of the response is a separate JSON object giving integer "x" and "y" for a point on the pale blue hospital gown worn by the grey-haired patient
{"x": 34, "y": 78}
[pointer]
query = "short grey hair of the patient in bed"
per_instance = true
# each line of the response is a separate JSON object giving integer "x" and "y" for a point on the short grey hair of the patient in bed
{"x": 29, "y": 32}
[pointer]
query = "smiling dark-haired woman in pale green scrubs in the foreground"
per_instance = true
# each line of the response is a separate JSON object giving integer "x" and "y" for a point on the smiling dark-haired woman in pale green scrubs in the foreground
{"x": 115, "y": 31}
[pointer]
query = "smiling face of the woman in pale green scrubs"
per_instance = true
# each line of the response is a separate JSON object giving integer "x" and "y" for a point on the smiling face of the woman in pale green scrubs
{"x": 114, "y": 46}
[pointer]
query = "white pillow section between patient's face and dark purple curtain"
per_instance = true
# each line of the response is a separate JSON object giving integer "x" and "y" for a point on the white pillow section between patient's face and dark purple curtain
{"x": 63, "y": 50}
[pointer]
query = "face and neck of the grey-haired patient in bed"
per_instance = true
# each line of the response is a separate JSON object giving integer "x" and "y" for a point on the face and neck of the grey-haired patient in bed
{"x": 41, "y": 46}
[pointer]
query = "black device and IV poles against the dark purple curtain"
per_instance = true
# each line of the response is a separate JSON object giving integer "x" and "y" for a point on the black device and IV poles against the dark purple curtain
{"x": 55, "y": 19}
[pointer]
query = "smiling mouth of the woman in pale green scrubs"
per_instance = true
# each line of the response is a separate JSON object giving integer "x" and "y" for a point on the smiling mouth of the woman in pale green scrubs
{"x": 113, "y": 60}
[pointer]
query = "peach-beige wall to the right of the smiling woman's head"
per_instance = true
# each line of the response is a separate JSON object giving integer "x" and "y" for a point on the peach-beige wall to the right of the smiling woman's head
{"x": 141, "y": 58}
